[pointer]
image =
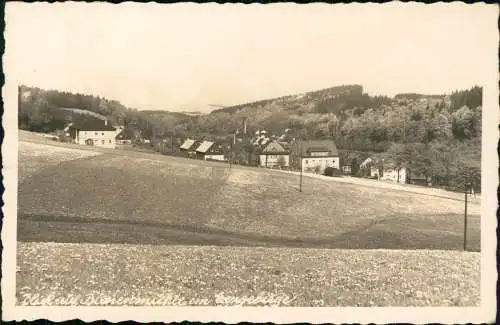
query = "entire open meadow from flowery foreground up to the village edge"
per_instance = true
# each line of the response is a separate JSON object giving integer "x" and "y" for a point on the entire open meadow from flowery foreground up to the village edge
{"x": 109, "y": 213}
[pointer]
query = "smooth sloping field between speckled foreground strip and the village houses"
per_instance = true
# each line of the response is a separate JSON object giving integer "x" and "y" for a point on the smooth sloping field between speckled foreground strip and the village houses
{"x": 127, "y": 199}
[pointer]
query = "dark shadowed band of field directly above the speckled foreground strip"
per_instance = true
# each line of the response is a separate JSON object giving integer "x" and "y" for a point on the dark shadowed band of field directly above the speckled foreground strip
{"x": 378, "y": 234}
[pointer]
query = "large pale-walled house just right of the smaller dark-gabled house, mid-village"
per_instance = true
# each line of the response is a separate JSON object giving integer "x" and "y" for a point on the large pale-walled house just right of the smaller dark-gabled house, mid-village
{"x": 315, "y": 156}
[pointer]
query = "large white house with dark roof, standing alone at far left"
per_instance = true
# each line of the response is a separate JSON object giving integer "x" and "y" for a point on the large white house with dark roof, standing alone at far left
{"x": 93, "y": 132}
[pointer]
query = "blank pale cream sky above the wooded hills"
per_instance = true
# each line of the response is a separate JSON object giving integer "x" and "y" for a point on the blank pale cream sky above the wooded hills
{"x": 185, "y": 57}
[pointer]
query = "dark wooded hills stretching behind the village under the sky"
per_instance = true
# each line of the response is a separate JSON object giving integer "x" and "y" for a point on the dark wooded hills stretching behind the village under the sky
{"x": 437, "y": 135}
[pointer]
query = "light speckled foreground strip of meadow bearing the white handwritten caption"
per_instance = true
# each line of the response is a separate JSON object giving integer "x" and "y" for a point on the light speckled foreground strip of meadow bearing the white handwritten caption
{"x": 96, "y": 274}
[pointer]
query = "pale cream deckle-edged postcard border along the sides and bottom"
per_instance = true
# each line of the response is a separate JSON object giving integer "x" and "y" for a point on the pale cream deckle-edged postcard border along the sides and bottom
{"x": 446, "y": 315}
